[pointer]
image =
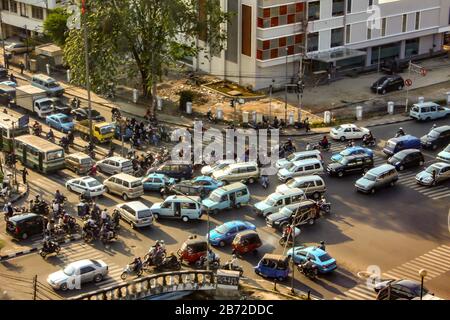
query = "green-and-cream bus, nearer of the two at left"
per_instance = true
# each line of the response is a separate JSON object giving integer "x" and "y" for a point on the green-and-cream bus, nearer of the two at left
{"x": 39, "y": 154}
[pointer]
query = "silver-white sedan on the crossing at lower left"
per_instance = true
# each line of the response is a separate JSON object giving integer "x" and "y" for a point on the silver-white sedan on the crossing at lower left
{"x": 77, "y": 273}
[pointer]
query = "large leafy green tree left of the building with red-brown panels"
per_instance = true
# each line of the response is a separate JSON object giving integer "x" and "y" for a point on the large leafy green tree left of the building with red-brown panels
{"x": 153, "y": 34}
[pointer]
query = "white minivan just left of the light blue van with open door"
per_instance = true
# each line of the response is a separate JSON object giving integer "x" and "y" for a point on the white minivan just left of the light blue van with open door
{"x": 136, "y": 213}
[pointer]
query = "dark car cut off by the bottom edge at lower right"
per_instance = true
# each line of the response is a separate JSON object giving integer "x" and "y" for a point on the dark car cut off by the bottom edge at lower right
{"x": 399, "y": 289}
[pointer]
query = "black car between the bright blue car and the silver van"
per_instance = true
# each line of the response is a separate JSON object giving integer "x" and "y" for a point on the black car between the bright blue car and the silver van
{"x": 350, "y": 164}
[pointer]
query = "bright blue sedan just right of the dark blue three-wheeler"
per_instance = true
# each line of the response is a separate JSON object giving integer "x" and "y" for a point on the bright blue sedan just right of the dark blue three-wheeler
{"x": 321, "y": 258}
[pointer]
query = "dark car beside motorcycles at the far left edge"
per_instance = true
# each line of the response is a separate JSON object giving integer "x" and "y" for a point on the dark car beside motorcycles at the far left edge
{"x": 22, "y": 226}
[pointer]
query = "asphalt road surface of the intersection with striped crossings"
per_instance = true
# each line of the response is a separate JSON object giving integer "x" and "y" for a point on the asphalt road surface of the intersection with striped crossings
{"x": 389, "y": 230}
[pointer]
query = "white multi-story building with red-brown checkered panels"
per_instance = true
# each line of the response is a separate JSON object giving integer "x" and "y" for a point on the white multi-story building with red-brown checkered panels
{"x": 266, "y": 38}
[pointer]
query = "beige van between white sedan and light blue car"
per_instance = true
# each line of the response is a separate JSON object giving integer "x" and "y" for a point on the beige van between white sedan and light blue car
{"x": 124, "y": 185}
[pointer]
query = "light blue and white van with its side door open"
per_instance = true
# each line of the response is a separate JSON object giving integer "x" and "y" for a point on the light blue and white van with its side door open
{"x": 179, "y": 207}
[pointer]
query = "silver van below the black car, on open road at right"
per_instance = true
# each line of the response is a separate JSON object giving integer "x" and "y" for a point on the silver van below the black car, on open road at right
{"x": 381, "y": 176}
